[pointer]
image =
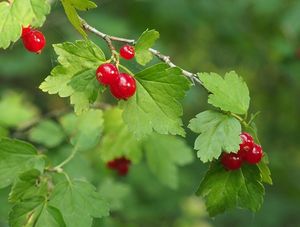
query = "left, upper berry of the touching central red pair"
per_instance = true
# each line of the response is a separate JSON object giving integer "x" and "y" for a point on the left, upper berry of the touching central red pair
{"x": 107, "y": 73}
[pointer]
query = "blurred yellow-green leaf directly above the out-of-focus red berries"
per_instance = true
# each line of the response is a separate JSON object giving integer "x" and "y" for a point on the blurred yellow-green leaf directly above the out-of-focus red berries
{"x": 117, "y": 141}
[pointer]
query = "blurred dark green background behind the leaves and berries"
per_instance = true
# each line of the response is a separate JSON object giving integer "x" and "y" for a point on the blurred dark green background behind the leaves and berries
{"x": 260, "y": 39}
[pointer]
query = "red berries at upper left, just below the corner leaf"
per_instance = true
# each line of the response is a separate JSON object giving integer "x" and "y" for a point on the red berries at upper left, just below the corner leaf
{"x": 33, "y": 40}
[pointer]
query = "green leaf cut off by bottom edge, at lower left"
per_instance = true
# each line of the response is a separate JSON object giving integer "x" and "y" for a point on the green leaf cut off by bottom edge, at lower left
{"x": 35, "y": 213}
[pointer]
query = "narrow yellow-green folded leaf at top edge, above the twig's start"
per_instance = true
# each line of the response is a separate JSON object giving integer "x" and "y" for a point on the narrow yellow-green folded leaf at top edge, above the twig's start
{"x": 71, "y": 7}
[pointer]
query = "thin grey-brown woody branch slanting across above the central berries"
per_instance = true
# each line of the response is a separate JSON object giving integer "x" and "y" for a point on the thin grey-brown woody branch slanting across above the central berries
{"x": 192, "y": 76}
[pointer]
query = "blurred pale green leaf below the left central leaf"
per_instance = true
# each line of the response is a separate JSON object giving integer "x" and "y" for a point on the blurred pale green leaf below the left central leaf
{"x": 85, "y": 130}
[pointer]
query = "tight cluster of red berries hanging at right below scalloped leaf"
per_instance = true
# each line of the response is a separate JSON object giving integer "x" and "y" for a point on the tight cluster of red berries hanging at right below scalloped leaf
{"x": 249, "y": 152}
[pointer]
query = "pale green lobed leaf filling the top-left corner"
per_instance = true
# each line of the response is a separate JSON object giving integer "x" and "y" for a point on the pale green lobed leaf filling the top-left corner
{"x": 20, "y": 12}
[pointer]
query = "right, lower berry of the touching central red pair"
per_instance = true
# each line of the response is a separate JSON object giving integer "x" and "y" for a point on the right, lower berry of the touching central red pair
{"x": 123, "y": 87}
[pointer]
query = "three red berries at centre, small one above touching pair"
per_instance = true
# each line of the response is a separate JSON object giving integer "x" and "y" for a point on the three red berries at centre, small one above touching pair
{"x": 122, "y": 85}
